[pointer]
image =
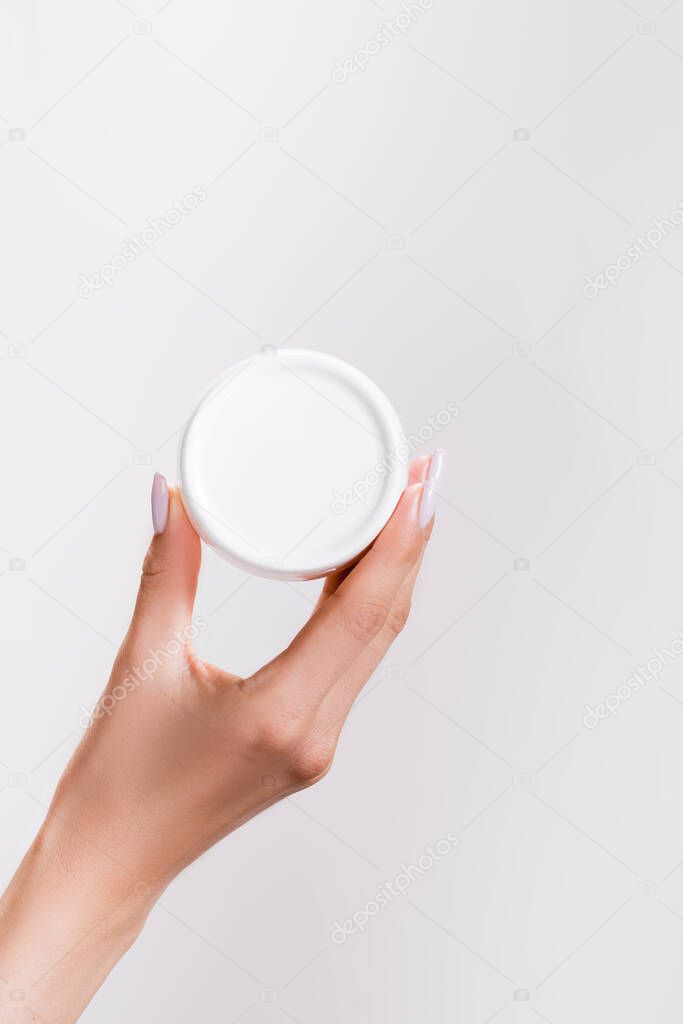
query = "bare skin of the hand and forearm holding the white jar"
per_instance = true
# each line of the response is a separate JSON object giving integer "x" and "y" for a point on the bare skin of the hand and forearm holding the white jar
{"x": 188, "y": 757}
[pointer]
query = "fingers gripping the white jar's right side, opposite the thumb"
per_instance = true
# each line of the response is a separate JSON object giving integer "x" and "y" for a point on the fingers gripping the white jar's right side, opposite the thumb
{"x": 360, "y": 614}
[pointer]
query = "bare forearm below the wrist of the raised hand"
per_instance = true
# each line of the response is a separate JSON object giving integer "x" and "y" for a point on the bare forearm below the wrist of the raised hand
{"x": 66, "y": 920}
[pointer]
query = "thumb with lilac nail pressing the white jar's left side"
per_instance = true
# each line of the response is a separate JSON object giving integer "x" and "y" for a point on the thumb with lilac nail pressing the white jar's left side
{"x": 166, "y": 598}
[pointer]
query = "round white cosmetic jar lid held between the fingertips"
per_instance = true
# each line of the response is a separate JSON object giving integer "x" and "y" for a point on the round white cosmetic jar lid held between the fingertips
{"x": 292, "y": 464}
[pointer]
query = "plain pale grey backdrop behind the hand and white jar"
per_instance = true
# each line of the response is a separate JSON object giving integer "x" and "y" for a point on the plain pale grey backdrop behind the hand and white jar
{"x": 515, "y": 149}
